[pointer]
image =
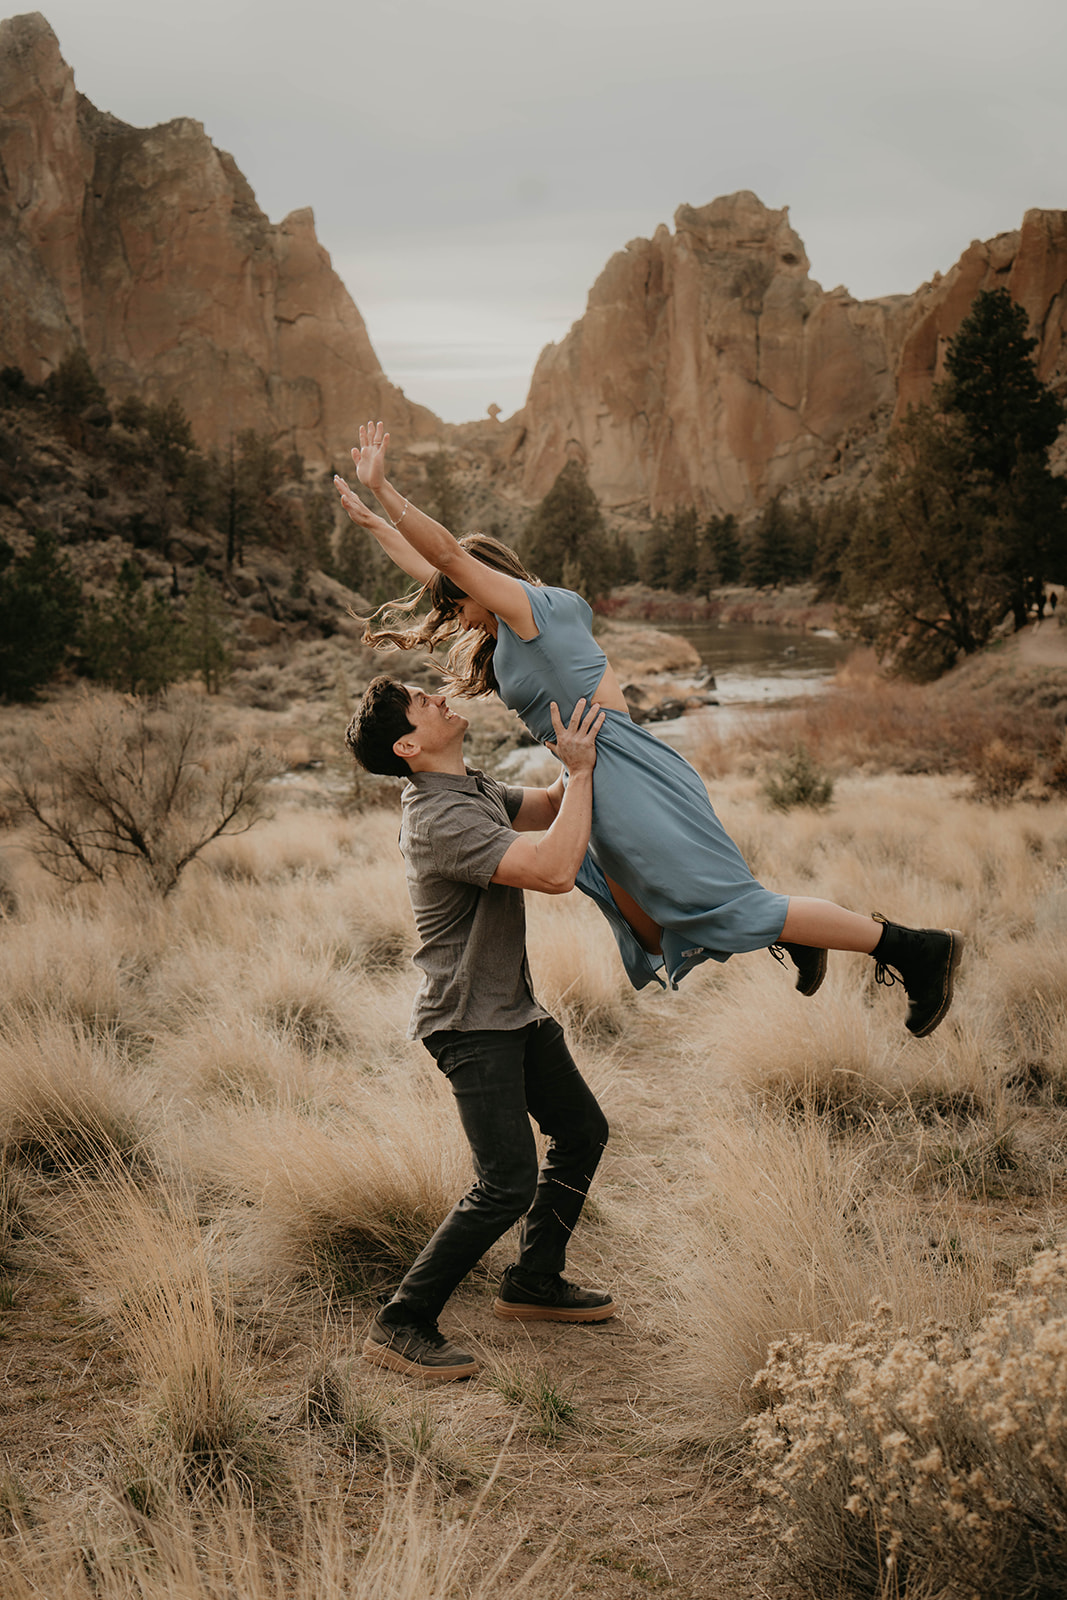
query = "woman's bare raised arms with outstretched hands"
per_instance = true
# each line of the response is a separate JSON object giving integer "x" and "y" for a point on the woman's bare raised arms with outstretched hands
{"x": 430, "y": 543}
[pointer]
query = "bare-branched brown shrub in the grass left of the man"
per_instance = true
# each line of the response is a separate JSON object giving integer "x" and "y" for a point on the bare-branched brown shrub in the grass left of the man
{"x": 137, "y": 786}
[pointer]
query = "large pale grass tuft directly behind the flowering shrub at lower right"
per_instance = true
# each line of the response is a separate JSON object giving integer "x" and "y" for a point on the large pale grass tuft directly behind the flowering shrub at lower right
{"x": 786, "y": 1228}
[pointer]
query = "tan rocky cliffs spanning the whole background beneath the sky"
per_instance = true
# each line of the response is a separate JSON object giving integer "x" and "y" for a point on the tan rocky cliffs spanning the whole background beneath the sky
{"x": 709, "y": 369}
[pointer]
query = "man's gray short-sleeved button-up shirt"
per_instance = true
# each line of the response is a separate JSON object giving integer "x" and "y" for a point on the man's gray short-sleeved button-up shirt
{"x": 473, "y": 932}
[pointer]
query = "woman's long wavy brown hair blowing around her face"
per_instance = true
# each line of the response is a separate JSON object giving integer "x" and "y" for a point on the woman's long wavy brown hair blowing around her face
{"x": 470, "y": 663}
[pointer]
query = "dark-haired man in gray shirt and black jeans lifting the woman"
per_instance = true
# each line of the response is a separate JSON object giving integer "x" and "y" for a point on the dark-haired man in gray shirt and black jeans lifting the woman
{"x": 468, "y": 854}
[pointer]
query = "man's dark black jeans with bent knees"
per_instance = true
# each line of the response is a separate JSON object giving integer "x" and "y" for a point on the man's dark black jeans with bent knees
{"x": 502, "y": 1081}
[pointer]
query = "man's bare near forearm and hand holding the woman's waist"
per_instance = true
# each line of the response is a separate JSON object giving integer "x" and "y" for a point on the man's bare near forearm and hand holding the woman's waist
{"x": 551, "y": 863}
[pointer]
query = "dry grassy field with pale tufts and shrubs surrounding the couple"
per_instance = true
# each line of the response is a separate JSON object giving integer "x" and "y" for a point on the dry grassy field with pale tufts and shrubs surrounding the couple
{"x": 842, "y": 1348}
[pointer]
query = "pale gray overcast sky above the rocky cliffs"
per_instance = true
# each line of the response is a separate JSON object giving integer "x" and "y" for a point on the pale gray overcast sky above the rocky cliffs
{"x": 473, "y": 164}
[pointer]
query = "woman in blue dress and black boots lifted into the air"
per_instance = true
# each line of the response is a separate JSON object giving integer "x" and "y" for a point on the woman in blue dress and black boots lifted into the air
{"x": 660, "y": 865}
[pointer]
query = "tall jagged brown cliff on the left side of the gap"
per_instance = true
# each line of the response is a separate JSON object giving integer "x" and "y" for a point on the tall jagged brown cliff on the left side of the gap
{"x": 146, "y": 246}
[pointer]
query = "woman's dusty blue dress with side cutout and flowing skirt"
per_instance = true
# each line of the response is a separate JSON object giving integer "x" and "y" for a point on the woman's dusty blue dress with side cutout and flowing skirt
{"x": 655, "y": 831}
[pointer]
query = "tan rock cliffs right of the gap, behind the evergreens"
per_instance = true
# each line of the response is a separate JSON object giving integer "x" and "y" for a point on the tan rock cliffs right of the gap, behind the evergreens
{"x": 711, "y": 370}
